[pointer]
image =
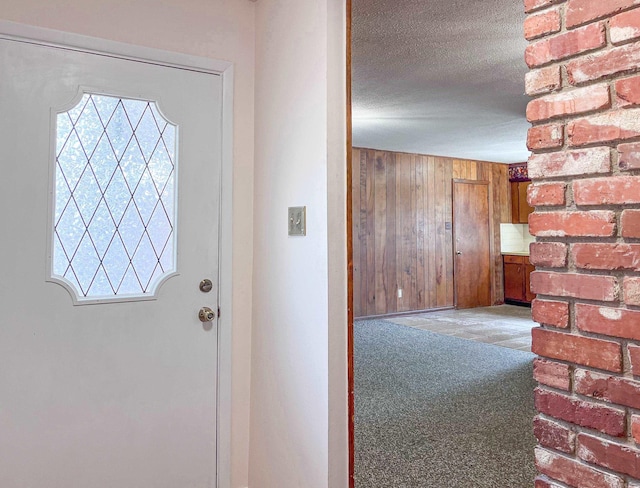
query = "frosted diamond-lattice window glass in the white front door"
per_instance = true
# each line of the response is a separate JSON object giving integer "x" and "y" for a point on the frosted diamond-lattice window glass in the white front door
{"x": 114, "y": 203}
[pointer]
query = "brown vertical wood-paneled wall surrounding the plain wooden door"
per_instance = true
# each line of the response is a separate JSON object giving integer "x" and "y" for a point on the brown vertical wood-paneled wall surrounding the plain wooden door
{"x": 402, "y": 228}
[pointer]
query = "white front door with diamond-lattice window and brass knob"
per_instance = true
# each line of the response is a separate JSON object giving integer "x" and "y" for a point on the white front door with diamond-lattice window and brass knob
{"x": 107, "y": 375}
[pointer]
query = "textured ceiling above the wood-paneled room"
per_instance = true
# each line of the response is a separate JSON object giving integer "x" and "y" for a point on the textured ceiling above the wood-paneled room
{"x": 440, "y": 77}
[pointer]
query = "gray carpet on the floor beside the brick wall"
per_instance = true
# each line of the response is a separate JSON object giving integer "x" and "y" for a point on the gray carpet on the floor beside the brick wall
{"x": 437, "y": 411}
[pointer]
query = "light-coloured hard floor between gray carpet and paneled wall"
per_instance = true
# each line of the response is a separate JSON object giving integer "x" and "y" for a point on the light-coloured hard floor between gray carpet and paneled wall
{"x": 503, "y": 325}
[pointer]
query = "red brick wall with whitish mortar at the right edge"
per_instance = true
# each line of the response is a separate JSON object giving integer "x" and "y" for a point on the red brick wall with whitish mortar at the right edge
{"x": 584, "y": 60}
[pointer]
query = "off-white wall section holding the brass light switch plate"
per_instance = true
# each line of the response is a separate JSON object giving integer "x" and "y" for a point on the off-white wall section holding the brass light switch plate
{"x": 298, "y": 402}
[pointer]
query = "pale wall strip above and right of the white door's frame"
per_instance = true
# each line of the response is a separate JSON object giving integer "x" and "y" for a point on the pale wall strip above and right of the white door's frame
{"x": 220, "y": 29}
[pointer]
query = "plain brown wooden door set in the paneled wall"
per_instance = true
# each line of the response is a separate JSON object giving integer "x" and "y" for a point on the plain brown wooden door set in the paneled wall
{"x": 472, "y": 244}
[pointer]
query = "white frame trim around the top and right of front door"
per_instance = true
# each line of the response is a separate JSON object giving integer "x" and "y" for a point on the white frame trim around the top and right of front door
{"x": 75, "y": 42}
